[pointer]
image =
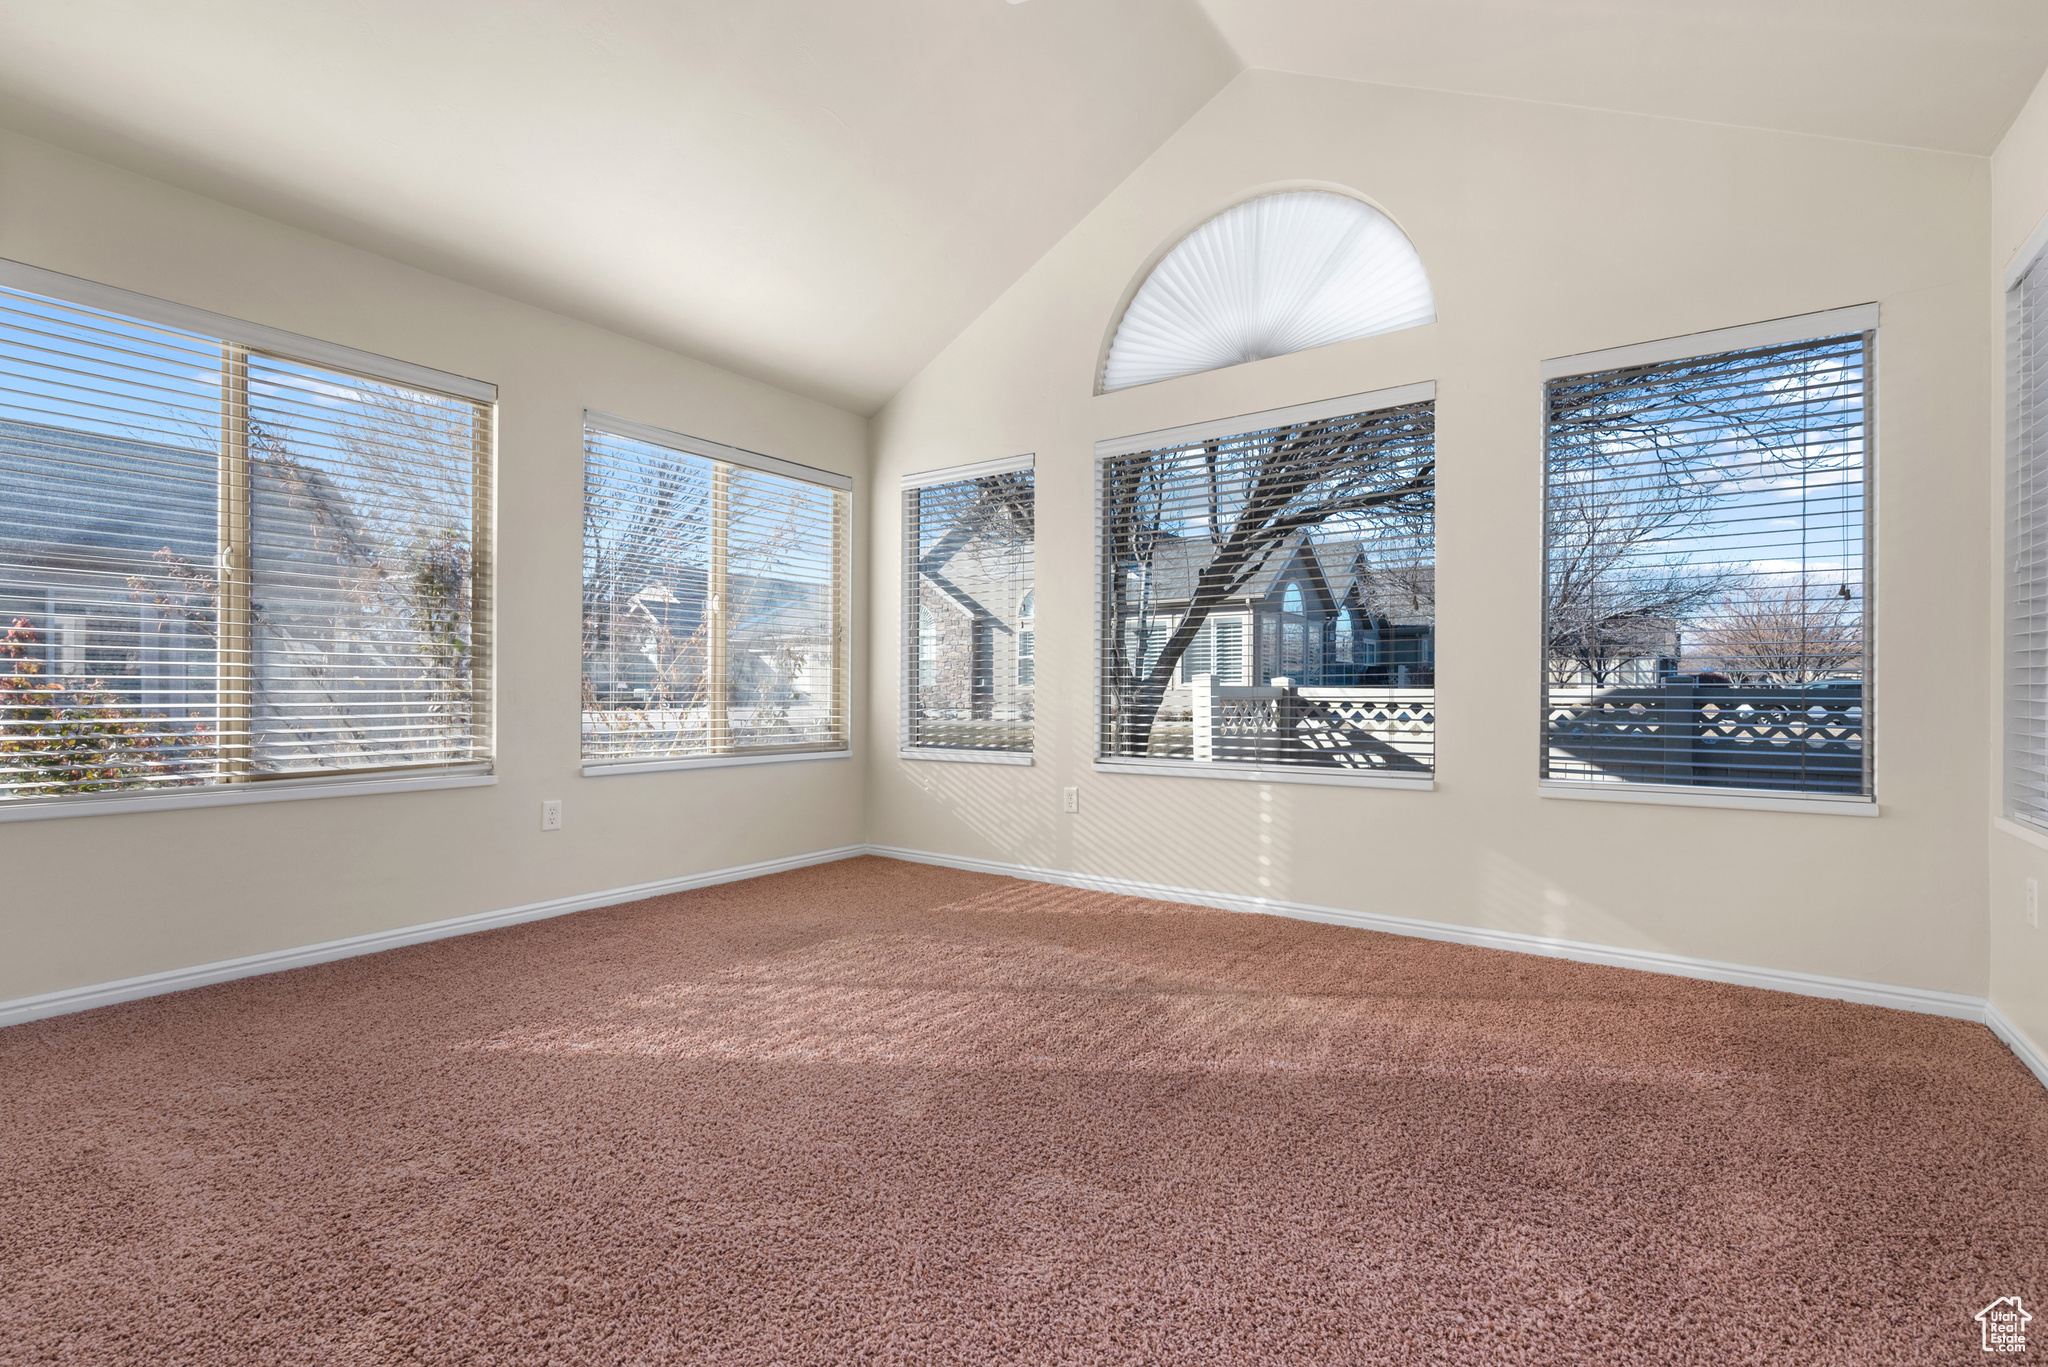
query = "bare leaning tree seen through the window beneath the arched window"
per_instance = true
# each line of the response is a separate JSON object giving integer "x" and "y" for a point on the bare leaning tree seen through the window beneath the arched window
{"x": 1258, "y": 497}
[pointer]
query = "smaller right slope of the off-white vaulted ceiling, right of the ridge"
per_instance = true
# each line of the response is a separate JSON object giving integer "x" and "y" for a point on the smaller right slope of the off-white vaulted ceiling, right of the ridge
{"x": 1945, "y": 75}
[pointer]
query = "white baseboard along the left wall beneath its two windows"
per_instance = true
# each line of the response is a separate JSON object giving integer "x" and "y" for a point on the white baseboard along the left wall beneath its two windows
{"x": 249, "y": 966}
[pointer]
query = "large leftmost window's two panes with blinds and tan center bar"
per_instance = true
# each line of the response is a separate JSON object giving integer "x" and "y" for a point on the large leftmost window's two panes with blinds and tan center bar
{"x": 232, "y": 561}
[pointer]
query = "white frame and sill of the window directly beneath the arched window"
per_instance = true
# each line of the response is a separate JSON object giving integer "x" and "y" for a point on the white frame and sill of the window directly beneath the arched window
{"x": 1111, "y": 448}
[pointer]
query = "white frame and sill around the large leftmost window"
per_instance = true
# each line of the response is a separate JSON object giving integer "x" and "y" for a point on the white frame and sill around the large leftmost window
{"x": 323, "y": 354}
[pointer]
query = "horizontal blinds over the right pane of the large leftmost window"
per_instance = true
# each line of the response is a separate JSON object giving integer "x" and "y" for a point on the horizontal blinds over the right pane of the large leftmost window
{"x": 361, "y": 571}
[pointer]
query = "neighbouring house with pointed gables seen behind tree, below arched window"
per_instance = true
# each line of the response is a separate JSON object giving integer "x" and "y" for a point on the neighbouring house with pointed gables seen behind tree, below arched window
{"x": 1320, "y": 614}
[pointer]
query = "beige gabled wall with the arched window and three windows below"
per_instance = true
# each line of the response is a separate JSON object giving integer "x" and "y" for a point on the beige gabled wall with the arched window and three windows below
{"x": 1547, "y": 233}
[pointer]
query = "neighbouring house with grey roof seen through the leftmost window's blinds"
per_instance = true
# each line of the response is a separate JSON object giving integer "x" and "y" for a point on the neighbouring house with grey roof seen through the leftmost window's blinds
{"x": 110, "y": 550}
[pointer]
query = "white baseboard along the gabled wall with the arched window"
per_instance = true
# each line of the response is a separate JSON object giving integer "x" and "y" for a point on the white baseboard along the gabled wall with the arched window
{"x": 1924, "y": 1001}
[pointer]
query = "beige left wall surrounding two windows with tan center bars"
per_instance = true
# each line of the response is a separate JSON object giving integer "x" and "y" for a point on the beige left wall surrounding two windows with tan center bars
{"x": 112, "y": 897}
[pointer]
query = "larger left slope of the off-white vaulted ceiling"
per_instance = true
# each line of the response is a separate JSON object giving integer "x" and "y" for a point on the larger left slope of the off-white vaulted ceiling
{"x": 818, "y": 194}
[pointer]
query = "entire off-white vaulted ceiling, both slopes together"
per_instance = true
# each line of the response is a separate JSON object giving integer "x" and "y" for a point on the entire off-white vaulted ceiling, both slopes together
{"x": 822, "y": 194}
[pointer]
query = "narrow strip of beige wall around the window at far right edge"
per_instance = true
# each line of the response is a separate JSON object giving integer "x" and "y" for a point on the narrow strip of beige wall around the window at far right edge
{"x": 2018, "y": 954}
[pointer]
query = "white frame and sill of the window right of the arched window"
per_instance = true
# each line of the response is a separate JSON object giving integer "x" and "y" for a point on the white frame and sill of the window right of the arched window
{"x": 1775, "y": 333}
